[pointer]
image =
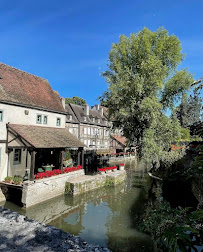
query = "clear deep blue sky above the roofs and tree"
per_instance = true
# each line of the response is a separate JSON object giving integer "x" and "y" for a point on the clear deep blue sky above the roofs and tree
{"x": 67, "y": 42}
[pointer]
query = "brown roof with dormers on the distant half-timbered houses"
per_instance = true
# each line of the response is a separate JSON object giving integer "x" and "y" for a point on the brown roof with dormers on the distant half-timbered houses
{"x": 79, "y": 112}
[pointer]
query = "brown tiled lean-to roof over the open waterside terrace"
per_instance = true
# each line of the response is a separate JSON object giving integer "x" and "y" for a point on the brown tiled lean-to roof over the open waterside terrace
{"x": 46, "y": 137}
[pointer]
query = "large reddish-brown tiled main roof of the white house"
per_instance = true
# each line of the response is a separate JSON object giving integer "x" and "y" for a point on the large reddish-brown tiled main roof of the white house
{"x": 23, "y": 88}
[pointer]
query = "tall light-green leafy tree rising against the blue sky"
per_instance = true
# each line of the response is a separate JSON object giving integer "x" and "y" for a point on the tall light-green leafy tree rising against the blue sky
{"x": 143, "y": 82}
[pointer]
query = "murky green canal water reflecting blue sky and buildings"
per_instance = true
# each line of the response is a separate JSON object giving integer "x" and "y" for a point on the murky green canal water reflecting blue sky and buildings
{"x": 107, "y": 216}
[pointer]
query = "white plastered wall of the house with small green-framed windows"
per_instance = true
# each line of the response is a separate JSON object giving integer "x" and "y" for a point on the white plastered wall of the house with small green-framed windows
{"x": 25, "y": 116}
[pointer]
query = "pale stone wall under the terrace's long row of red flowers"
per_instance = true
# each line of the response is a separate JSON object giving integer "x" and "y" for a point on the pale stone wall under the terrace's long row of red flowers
{"x": 35, "y": 192}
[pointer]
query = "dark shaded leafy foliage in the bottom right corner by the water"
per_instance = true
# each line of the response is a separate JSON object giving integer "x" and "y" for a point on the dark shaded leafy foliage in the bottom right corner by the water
{"x": 172, "y": 228}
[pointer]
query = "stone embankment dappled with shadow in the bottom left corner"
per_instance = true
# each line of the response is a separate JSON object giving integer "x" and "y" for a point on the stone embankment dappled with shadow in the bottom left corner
{"x": 19, "y": 234}
